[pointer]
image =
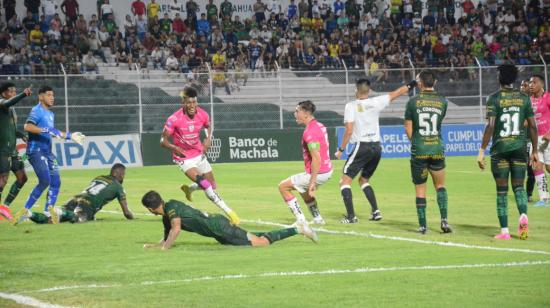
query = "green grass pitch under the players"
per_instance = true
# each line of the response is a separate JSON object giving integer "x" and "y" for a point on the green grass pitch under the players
{"x": 103, "y": 264}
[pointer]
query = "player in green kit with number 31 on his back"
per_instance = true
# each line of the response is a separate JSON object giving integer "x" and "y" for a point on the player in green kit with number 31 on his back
{"x": 507, "y": 110}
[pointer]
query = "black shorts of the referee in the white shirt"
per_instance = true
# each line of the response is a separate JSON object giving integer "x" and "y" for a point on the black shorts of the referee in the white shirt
{"x": 364, "y": 158}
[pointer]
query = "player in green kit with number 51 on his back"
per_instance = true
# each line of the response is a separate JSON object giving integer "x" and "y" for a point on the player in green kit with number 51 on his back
{"x": 423, "y": 116}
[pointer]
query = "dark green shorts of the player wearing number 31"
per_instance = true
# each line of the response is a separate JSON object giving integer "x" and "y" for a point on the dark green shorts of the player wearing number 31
{"x": 512, "y": 162}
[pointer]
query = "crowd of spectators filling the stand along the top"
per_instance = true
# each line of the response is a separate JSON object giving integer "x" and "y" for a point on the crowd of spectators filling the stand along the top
{"x": 308, "y": 35}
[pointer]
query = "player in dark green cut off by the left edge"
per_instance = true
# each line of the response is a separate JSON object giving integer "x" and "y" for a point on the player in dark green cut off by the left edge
{"x": 9, "y": 160}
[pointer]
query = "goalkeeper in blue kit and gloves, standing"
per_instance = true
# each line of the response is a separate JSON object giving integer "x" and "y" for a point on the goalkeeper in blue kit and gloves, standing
{"x": 41, "y": 129}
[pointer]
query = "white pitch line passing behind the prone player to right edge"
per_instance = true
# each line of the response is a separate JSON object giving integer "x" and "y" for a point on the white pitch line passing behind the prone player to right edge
{"x": 386, "y": 237}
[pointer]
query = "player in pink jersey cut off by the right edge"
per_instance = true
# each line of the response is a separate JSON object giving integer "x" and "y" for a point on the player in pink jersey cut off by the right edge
{"x": 540, "y": 100}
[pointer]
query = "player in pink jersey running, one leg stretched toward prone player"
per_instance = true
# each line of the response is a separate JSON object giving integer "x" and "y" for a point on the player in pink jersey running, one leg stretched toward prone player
{"x": 188, "y": 152}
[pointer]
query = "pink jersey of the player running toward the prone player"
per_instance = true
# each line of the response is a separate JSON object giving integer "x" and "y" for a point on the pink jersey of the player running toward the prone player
{"x": 186, "y": 132}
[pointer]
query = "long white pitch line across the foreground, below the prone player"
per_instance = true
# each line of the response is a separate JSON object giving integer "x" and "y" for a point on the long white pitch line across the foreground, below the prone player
{"x": 304, "y": 273}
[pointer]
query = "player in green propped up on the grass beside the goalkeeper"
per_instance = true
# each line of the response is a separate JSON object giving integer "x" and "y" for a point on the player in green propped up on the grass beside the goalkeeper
{"x": 83, "y": 207}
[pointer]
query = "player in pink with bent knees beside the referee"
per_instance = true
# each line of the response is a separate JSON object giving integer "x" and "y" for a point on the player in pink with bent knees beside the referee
{"x": 318, "y": 167}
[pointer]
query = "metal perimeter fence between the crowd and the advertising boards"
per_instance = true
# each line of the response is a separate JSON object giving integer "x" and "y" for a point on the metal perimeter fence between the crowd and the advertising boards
{"x": 136, "y": 101}
